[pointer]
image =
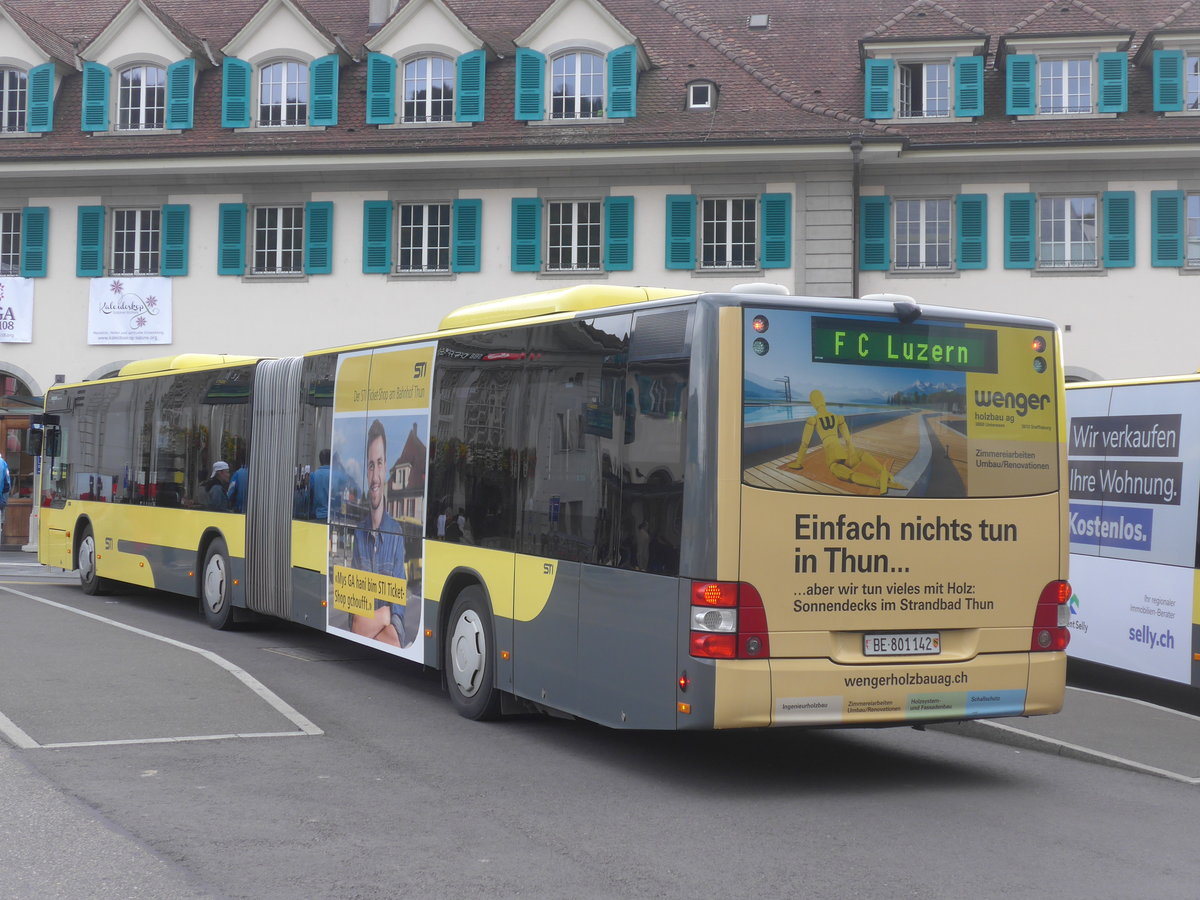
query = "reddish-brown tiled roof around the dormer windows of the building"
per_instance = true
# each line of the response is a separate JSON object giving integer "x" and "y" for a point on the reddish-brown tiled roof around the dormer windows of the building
{"x": 799, "y": 81}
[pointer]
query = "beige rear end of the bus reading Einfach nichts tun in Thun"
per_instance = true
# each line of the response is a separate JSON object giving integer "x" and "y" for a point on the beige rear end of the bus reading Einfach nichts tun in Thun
{"x": 898, "y": 517}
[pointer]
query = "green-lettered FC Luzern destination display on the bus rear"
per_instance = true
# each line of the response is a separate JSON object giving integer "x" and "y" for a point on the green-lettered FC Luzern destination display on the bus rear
{"x": 881, "y": 344}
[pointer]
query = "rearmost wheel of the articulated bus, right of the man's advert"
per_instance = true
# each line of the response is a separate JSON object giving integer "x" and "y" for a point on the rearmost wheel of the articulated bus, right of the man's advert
{"x": 471, "y": 657}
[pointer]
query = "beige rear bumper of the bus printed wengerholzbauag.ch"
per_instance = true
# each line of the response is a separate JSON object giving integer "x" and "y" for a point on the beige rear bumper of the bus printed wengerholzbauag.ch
{"x": 819, "y": 693}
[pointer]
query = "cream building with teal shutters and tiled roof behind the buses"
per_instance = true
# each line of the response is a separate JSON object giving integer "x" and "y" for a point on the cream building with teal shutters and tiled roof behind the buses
{"x": 271, "y": 177}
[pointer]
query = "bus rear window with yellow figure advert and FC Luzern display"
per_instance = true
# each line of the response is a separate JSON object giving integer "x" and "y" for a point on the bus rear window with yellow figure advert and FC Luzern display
{"x": 866, "y": 405}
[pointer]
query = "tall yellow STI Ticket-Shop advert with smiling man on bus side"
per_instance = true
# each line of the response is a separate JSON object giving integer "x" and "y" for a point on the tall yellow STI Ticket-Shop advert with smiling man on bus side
{"x": 381, "y": 443}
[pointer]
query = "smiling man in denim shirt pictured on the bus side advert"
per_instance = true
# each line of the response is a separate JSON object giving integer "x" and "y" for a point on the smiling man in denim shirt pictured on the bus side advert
{"x": 380, "y": 549}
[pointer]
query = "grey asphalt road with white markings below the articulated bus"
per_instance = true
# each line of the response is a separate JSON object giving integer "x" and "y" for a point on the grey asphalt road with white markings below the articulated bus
{"x": 281, "y": 763}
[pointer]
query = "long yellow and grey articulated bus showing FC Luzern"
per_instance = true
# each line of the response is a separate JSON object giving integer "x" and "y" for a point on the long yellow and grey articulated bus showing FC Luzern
{"x": 646, "y": 508}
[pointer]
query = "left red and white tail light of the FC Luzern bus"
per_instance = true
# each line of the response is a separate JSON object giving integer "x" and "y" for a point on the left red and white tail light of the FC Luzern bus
{"x": 728, "y": 622}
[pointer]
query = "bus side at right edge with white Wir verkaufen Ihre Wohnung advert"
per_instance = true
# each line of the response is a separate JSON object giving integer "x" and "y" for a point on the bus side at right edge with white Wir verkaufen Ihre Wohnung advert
{"x": 1135, "y": 487}
